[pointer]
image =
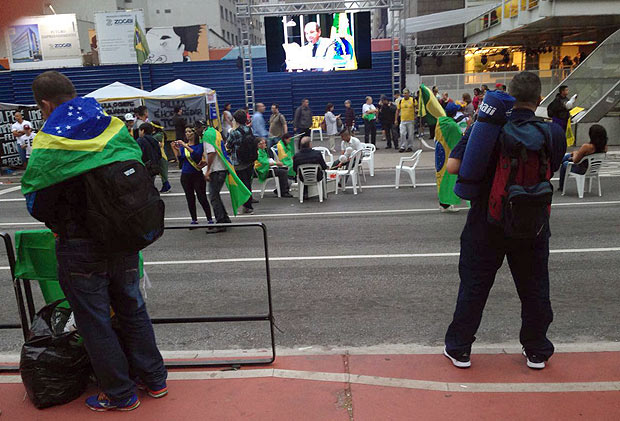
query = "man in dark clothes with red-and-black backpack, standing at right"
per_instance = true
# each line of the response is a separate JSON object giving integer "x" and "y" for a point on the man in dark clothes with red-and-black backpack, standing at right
{"x": 509, "y": 218}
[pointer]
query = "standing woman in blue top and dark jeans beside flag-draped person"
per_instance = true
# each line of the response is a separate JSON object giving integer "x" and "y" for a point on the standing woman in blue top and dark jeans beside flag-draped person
{"x": 191, "y": 158}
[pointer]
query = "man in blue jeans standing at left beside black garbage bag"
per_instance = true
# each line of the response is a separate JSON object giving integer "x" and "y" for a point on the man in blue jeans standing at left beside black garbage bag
{"x": 92, "y": 278}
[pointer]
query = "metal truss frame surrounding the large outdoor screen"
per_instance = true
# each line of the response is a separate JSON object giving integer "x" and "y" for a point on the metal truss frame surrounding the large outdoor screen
{"x": 247, "y": 9}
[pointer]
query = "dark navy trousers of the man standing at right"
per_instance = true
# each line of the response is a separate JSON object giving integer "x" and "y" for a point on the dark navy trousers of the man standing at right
{"x": 483, "y": 248}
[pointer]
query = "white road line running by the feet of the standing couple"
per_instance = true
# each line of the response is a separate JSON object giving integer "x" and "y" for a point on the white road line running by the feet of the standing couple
{"x": 332, "y": 213}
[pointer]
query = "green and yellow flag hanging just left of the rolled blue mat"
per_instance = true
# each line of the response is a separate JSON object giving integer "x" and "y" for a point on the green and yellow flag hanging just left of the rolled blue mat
{"x": 448, "y": 135}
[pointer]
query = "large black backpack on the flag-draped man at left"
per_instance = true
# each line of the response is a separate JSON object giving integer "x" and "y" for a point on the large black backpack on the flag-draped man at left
{"x": 123, "y": 211}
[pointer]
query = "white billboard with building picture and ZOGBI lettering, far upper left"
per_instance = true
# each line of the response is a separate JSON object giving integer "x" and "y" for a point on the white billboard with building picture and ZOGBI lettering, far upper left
{"x": 39, "y": 42}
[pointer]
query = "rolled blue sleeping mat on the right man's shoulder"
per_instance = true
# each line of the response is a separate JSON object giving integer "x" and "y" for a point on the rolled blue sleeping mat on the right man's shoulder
{"x": 491, "y": 117}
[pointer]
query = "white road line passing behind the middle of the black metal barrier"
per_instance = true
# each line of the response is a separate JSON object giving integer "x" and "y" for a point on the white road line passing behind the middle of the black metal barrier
{"x": 348, "y": 257}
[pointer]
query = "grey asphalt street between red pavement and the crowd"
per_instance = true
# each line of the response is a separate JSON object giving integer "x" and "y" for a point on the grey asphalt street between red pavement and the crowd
{"x": 375, "y": 268}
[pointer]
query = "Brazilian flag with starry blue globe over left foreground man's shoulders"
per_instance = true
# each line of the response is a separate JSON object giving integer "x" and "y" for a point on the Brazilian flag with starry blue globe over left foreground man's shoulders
{"x": 78, "y": 137}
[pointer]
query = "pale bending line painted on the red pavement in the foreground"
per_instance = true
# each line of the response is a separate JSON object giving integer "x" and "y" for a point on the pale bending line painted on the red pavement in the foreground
{"x": 384, "y": 381}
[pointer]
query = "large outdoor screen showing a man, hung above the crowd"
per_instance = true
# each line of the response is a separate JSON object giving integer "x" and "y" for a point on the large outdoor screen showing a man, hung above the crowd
{"x": 319, "y": 42}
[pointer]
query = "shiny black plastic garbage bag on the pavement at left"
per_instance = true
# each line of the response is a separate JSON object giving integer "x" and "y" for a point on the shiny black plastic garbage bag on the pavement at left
{"x": 54, "y": 366}
